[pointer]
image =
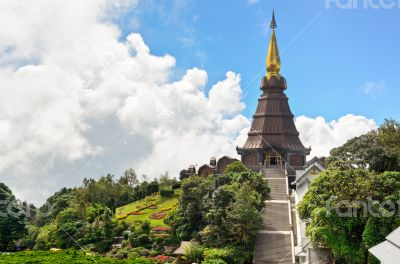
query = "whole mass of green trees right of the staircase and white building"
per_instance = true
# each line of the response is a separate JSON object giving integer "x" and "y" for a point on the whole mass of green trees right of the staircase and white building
{"x": 353, "y": 205}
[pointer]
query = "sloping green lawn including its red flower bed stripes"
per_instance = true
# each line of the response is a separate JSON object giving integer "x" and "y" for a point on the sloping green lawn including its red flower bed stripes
{"x": 151, "y": 205}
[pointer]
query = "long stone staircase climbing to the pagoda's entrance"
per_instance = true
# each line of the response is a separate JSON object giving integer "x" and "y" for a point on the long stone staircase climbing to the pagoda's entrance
{"x": 274, "y": 242}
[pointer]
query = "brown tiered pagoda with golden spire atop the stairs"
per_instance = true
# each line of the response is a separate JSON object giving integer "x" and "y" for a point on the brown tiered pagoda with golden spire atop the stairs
{"x": 273, "y": 139}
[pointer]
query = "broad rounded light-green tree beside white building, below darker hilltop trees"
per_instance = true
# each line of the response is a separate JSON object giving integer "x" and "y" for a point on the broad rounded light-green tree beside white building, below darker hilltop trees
{"x": 347, "y": 213}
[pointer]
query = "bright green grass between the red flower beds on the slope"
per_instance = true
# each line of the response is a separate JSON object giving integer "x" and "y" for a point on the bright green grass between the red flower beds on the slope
{"x": 161, "y": 202}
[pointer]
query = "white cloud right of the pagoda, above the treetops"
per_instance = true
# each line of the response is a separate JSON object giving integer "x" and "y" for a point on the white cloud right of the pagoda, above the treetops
{"x": 322, "y": 136}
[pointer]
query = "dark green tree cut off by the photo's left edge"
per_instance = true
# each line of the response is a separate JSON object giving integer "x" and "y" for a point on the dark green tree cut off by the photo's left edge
{"x": 13, "y": 223}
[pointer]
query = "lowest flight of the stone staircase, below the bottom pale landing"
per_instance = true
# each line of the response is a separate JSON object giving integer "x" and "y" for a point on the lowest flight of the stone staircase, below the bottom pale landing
{"x": 272, "y": 249}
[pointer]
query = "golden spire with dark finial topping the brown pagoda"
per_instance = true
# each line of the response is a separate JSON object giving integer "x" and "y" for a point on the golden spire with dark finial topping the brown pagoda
{"x": 273, "y": 60}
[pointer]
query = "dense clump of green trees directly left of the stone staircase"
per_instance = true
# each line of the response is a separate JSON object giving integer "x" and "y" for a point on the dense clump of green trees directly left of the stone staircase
{"x": 222, "y": 210}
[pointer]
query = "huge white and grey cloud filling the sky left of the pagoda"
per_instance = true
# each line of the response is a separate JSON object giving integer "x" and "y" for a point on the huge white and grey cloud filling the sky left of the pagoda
{"x": 76, "y": 101}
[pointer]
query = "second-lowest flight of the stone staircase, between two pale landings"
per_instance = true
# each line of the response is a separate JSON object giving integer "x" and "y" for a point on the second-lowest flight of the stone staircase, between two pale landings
{"x": 275, "y": 217}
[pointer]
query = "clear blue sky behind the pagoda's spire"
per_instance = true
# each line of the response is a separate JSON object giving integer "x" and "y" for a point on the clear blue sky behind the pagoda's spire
{"x": 329, "y": 67}
